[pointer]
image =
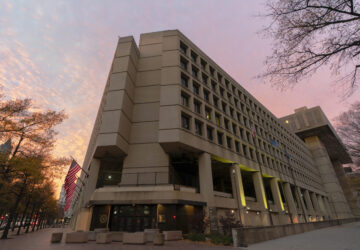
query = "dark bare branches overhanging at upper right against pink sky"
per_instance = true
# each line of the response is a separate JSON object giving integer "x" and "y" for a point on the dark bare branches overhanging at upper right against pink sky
{"x": 309, "y": 34}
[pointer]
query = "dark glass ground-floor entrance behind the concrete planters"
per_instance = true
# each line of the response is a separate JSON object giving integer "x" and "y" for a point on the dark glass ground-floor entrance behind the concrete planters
{"x": 131, "y": 218}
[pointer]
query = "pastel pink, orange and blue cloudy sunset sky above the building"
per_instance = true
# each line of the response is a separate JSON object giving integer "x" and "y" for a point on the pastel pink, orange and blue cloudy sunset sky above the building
{"x": 59, "y": 54}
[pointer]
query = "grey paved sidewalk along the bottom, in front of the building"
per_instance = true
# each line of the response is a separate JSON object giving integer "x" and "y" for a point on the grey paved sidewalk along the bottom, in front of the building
{"x": 333, "y": 238}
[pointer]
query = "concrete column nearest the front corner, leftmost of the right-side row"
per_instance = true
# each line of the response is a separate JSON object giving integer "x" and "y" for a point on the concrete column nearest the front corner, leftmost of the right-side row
{"x": 207, "y": 189}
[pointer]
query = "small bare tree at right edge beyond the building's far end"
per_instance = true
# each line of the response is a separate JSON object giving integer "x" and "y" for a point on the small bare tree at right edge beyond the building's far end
{"x": 348, "y": 127}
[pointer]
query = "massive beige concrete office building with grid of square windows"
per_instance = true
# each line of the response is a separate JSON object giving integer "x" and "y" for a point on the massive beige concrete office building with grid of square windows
{"x": 177, "y": 139}
